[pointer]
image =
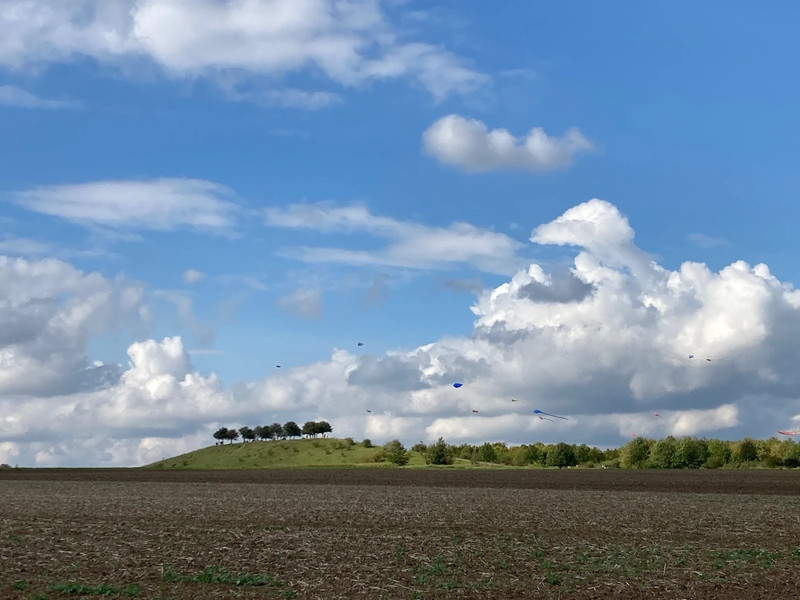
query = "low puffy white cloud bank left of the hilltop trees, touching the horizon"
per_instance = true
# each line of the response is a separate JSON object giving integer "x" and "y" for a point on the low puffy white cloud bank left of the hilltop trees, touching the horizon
{"x": 158, "y": 406}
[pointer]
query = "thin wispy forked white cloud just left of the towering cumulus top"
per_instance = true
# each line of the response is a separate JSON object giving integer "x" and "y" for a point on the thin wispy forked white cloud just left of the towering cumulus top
{"x": 411, "y": 245}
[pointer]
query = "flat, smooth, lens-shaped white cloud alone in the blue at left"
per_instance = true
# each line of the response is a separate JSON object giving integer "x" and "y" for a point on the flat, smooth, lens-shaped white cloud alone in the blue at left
{"x": 157, "y": 204}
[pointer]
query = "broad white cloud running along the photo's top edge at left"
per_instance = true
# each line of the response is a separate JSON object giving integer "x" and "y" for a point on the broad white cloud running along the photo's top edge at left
{"x": 252, "y": 42}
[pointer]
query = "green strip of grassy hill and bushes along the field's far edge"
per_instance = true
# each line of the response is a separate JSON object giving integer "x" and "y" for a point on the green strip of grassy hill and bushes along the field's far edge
{"x": 639, "y": 453}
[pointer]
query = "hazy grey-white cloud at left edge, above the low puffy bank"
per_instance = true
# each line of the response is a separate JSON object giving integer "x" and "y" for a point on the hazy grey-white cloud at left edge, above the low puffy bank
{"x": 48, "y": 312}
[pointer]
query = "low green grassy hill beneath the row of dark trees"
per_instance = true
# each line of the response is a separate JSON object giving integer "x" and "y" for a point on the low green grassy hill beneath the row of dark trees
{"x": 319, "y": 452}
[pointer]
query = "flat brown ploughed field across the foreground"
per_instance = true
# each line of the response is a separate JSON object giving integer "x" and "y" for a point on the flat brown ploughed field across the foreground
{"x": 399, "y": 533}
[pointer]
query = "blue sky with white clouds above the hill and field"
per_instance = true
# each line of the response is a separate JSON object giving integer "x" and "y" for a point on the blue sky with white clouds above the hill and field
{"x": 555, "y": 203}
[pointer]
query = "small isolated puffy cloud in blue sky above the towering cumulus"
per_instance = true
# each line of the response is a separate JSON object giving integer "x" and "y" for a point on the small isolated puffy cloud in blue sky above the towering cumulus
{"x": 469, "y": 144}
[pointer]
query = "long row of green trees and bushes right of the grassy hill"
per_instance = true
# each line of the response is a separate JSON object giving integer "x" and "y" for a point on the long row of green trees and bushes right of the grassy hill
{"x": 639, "y": 453}
